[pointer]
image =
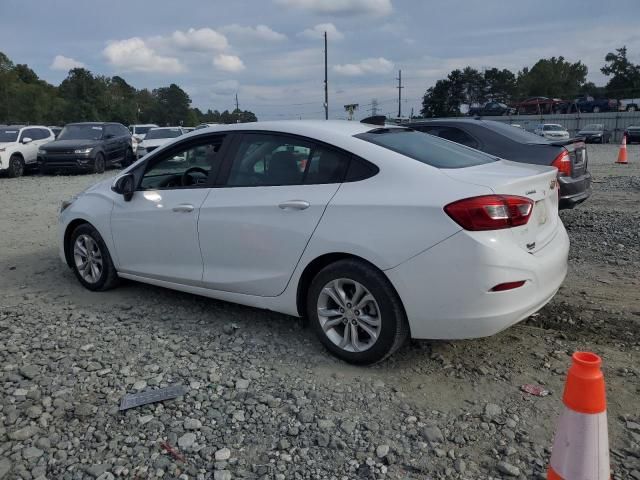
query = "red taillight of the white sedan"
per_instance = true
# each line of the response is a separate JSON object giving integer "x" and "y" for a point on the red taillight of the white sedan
{"x": 490, "y": 212}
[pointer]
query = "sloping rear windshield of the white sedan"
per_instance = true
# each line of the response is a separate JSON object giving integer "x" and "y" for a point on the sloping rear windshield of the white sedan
{"x": 425, "y": 148}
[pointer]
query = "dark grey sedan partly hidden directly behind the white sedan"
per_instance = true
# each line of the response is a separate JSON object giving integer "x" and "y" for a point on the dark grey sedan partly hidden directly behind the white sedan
{"x": 504, "y": 141}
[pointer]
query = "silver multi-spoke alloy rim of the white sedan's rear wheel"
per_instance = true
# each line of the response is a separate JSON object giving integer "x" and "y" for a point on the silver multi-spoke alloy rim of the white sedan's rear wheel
{"x": 349, "y": 315}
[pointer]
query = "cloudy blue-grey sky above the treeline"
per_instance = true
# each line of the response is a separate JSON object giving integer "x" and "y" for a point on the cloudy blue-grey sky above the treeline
{"x": 270, "y": 52}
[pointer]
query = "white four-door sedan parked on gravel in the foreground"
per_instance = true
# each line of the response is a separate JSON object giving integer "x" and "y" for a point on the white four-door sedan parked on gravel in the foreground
{"x": 374, "y": 234}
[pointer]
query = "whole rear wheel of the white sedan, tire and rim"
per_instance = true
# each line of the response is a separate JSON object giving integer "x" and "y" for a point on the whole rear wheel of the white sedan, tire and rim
{"x": 356, "y": 313}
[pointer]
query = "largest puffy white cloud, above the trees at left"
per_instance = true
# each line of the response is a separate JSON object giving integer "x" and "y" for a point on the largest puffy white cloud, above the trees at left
{"x": 133, "y": 54}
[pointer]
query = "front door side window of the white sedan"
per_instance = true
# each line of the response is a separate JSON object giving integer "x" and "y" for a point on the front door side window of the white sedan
{"x": 186, "y": 166}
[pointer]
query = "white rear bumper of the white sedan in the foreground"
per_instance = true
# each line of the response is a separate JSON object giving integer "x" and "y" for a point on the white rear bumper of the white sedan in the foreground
{"x": 446, "y": 290}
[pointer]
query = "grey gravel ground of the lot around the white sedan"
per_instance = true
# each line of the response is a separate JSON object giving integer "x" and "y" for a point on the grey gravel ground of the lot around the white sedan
{"x": 266, "y": 401}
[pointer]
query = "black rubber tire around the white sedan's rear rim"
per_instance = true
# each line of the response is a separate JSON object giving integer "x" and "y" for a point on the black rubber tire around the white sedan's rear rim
{"x": 394, "y": 328}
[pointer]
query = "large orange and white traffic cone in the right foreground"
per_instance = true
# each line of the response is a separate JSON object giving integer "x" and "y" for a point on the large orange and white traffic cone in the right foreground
{"x": 581, "y": 445}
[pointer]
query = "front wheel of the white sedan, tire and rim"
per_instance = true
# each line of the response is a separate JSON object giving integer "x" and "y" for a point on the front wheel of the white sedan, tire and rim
{"x": 90, "y": 258}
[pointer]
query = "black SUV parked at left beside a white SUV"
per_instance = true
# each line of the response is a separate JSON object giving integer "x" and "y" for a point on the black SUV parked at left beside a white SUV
{"x": 88, "y": 146}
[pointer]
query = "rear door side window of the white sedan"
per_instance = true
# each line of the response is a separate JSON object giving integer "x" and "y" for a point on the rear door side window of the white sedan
{"x": 274, "y": 159}
